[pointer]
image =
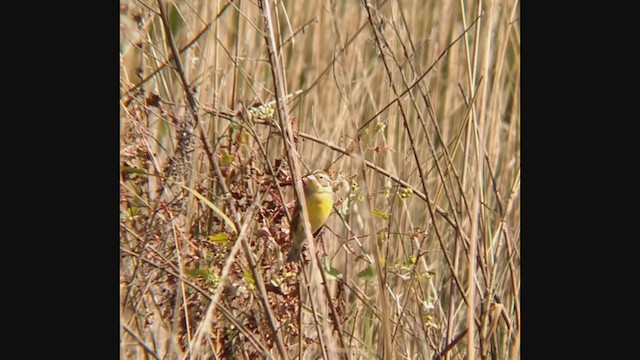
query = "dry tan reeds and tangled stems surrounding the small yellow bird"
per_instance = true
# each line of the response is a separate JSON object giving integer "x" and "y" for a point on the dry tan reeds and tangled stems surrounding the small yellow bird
{"x": 413, "y": 106}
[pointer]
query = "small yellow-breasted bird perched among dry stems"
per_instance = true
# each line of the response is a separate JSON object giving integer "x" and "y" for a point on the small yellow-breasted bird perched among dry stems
{"x": 318, "y": 194}
